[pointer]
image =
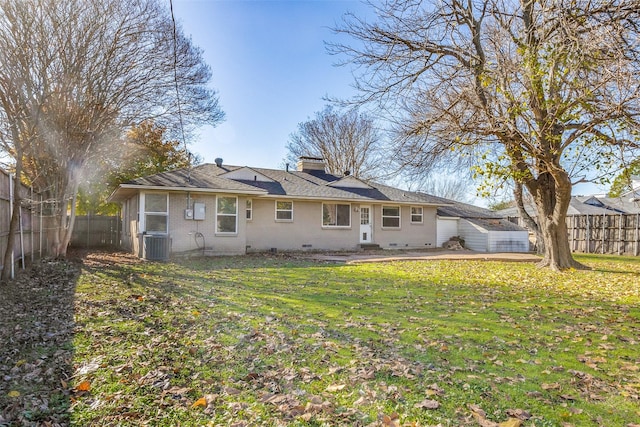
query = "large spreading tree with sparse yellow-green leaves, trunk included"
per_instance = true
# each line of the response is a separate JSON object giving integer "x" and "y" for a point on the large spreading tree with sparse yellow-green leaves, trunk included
{"x": 543, "y": 93}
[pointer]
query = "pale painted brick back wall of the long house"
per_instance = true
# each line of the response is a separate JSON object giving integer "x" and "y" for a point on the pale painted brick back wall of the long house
{"x": 263, "y": 232}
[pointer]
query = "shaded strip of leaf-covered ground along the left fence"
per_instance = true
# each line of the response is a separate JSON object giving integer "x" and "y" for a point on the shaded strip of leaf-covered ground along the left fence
{"x": 36, "y": 314}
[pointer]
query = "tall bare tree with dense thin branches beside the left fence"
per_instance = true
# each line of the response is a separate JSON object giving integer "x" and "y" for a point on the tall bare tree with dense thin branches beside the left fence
{"x": 75, "y": 74}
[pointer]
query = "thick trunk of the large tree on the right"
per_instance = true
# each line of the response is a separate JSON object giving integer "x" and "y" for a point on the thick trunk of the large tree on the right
{"x": 552, "y": 194}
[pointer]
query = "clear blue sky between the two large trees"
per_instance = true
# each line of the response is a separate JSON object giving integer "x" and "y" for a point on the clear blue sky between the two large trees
{"x": 270, "y": 68}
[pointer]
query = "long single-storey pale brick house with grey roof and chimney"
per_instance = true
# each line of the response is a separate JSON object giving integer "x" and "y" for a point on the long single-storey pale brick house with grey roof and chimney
{"x": 223, "y": 209}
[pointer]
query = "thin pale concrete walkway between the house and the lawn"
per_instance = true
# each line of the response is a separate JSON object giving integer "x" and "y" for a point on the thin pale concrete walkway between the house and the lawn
{"x": 393, "y": 255}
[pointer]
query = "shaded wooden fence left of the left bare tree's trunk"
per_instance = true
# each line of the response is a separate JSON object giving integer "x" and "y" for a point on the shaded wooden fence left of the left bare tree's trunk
{"x": 28, "y": 242}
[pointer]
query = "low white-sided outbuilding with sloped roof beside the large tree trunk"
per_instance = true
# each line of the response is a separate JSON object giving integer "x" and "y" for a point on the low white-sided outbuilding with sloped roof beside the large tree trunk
{"x": 481, "y": 229}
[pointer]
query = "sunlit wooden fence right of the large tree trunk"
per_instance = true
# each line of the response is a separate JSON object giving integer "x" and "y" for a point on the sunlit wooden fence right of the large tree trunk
{"x": 605, "y": 234}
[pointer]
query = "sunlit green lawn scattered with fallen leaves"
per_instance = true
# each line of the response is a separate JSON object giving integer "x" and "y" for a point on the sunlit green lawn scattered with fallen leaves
{"x": 279, "y": 341}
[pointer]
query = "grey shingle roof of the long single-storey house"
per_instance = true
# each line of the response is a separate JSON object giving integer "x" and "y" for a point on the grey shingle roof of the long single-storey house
{"x": 294, "y": 184}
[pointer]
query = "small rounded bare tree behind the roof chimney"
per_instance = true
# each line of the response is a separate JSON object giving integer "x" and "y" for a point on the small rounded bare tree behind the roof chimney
{"x": 346, "y": 140}
